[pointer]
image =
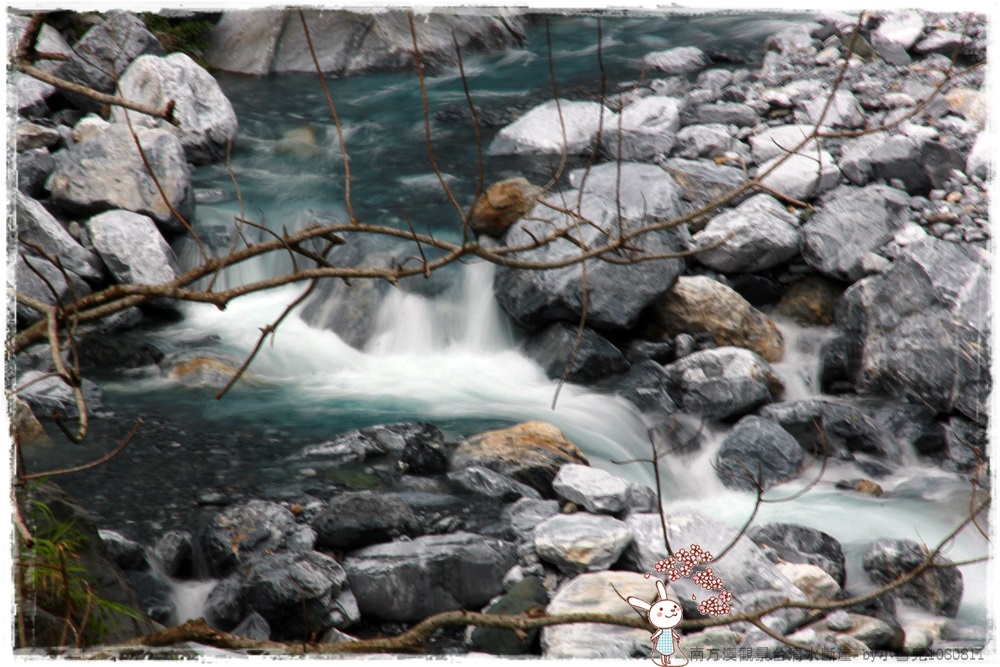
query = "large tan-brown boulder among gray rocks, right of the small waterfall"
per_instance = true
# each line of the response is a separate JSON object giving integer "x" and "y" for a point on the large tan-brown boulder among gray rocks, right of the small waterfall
{"x": 697, "y": 304}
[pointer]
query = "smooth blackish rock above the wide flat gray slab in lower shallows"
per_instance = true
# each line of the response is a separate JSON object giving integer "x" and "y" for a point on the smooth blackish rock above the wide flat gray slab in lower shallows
{"x": 358, "y": 519}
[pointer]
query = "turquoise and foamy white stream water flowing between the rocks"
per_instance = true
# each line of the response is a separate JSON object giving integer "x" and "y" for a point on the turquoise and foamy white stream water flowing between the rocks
{"x": 451, "y": 359}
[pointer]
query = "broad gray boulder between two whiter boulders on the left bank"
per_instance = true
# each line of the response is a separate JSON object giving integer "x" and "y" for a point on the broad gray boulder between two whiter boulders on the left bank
{"x": 108, "y": 173}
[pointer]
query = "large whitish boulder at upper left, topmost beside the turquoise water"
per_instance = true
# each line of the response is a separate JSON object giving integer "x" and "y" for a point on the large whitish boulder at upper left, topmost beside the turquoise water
{"x": 207, "y": 120}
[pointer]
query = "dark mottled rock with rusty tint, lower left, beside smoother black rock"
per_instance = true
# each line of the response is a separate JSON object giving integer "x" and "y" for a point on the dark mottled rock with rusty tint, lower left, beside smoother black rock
{"x": 243, "y": 532}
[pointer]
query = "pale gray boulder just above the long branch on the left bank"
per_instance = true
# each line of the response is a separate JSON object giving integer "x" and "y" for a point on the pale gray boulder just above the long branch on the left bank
{"x": 132, "y": 248}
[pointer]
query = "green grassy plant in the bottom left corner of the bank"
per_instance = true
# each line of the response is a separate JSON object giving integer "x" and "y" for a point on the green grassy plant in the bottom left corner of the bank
{"x": 53, "y": 578}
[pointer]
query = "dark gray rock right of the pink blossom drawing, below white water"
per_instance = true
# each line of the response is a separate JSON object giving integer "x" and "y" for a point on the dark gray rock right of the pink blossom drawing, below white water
{"x": 792, "y": 543}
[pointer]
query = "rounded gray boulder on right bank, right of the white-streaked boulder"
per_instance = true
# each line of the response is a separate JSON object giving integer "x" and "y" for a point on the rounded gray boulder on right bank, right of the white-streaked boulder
{"x": 851, "y": 223}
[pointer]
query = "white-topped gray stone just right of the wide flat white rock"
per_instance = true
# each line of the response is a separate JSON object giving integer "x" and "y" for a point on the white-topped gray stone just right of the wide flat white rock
{"x": 645, "y": 129}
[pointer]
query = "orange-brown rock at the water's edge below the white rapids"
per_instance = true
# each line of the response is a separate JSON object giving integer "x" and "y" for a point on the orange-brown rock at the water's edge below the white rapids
{"x": 531, "y": 453}
